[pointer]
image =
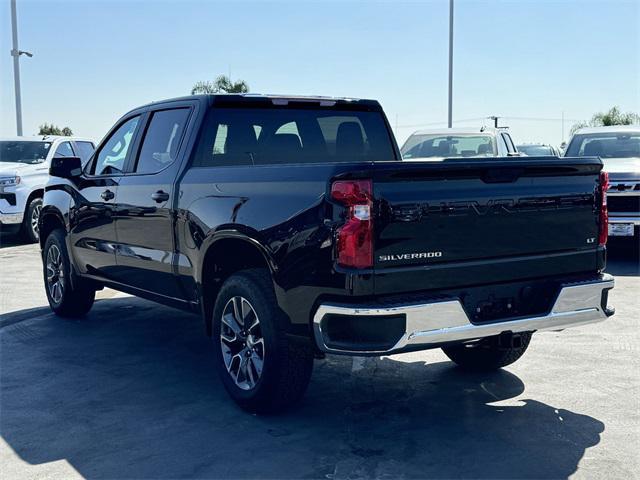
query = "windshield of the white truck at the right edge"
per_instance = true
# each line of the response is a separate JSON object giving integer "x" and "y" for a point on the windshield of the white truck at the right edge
{"x": 605, "y": 145}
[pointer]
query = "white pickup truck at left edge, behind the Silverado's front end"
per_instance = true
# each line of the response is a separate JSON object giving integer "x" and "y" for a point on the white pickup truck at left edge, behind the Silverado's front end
{"x": 24, "y": 171}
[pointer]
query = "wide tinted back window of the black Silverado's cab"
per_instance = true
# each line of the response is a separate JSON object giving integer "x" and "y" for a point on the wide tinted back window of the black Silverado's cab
{"x": 271, "y": 136}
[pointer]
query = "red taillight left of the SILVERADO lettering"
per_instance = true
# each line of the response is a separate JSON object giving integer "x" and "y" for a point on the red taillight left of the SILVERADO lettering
{"x": 355, "y": 237}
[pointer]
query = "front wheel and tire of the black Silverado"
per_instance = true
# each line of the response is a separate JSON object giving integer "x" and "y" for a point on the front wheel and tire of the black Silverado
{"x": 69, "y": 299}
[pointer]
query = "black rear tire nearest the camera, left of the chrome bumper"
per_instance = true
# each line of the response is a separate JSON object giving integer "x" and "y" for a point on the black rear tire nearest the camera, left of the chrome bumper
{"x": 286, "y": 363}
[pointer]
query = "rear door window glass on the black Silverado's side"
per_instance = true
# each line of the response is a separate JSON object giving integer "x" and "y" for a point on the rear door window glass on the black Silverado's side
{"x": 162, "y": 139}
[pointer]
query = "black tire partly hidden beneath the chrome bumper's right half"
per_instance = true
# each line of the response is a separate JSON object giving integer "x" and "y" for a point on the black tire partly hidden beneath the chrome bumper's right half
{"x": 488, "y": 354}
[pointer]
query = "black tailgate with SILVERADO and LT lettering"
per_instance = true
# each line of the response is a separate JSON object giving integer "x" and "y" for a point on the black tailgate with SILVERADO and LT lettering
{"x": 455, "y": 223}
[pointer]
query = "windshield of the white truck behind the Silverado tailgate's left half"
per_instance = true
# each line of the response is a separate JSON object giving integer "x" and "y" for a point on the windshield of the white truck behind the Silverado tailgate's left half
{"x": 450, "y": 146}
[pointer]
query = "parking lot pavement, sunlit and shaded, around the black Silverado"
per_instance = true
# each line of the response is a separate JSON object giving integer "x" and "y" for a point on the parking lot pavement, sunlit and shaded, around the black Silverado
{"x": 130, "y": 392}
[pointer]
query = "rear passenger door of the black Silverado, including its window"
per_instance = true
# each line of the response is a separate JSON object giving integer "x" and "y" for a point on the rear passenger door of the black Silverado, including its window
{"x": 145, "y": 214}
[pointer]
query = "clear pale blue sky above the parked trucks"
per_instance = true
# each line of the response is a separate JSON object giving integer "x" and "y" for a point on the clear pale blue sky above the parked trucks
{"x": 529, "y": 61}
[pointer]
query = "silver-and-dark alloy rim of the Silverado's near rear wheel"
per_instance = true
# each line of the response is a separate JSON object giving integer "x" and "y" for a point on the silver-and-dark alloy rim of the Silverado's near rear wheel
{"x": 242, "y": 343}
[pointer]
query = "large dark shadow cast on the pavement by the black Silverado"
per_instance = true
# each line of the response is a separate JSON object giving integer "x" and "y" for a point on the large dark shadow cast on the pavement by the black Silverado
{"x": 129, "y": 392}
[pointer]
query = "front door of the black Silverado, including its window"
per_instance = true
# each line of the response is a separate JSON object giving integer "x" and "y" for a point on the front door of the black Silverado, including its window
{"x": 92, "y": 217}
